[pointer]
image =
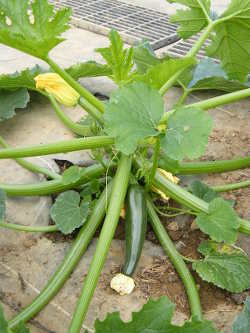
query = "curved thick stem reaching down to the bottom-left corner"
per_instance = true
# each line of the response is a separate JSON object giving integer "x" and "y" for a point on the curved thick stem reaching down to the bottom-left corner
{"x": 69, "y": 263}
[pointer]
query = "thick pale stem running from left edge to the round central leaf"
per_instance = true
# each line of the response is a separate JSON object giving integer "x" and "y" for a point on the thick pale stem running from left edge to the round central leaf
{"x": 58, "y": 147}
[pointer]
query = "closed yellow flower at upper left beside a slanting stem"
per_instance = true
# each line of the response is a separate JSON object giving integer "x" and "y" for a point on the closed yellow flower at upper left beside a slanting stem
{"x": 53, "y": 84}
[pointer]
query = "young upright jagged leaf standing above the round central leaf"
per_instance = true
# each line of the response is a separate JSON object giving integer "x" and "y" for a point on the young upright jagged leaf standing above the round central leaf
{"x": 119, "y": 59}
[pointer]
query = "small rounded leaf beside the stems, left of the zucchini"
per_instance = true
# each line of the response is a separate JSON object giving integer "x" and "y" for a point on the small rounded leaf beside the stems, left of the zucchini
{"x": 66, "y": 212}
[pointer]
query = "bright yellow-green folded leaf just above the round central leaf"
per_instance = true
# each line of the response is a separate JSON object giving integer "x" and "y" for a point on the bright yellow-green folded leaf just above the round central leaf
{"x": 158, "y": 75}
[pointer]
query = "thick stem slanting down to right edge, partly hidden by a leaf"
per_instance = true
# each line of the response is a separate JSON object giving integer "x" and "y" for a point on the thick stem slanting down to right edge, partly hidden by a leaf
{"x": 189, "y": 200}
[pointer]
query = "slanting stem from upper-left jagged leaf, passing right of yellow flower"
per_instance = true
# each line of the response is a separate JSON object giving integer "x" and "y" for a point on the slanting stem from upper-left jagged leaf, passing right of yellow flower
{"x": 75, "y": 85}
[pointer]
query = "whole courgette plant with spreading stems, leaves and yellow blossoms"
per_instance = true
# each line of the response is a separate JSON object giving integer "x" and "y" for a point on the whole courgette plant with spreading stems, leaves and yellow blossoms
{"x": 133, "y": 141}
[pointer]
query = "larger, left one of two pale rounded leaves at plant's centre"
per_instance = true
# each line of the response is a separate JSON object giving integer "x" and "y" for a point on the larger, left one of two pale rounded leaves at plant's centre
{"x": 133, "y": 114}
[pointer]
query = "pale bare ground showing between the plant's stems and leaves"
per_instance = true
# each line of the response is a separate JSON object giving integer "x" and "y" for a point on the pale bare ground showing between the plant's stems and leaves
{"x": 27, "y": 261}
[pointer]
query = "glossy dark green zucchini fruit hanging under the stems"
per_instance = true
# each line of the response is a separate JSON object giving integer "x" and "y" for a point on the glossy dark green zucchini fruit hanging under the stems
{"x": 135, "y": 227}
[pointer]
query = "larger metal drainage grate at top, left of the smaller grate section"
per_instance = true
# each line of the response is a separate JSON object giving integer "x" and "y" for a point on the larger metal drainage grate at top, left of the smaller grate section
{"x": 132, "y": 22}
